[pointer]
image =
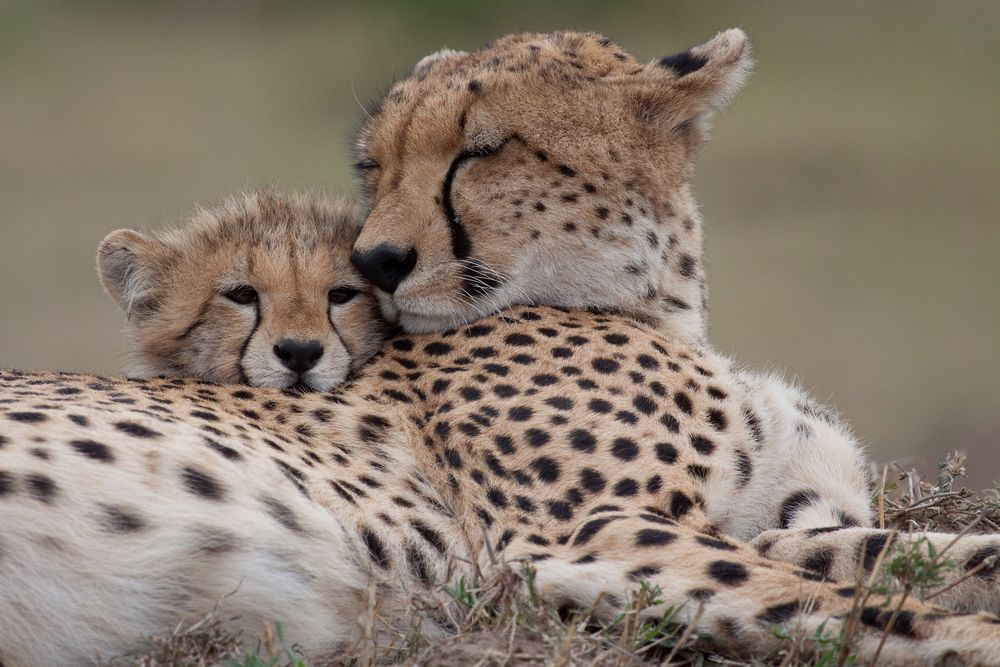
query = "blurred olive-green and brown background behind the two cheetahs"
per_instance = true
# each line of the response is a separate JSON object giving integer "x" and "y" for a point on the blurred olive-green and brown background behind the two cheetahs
{"x": 851, "y": 197}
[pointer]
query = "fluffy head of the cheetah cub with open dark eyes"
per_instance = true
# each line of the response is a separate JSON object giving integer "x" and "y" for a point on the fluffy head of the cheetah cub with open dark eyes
{"x": 259, "y": 290}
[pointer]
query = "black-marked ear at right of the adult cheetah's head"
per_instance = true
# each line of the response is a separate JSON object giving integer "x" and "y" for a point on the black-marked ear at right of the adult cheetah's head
{"x": 689, "y": 87}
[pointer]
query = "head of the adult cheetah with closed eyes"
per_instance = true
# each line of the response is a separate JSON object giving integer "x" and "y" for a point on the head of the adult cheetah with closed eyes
{"x": 543, "y": 169}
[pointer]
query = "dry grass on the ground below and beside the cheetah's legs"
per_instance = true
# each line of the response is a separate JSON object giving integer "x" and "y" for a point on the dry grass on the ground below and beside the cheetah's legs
{"x": 502, "y": 621}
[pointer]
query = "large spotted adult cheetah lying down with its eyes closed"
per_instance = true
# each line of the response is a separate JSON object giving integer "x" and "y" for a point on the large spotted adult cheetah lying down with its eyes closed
{"x": 592, "y": 445}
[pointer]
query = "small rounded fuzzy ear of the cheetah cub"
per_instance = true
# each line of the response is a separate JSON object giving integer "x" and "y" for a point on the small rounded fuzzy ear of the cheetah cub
{"x": 130, "y": 267}
